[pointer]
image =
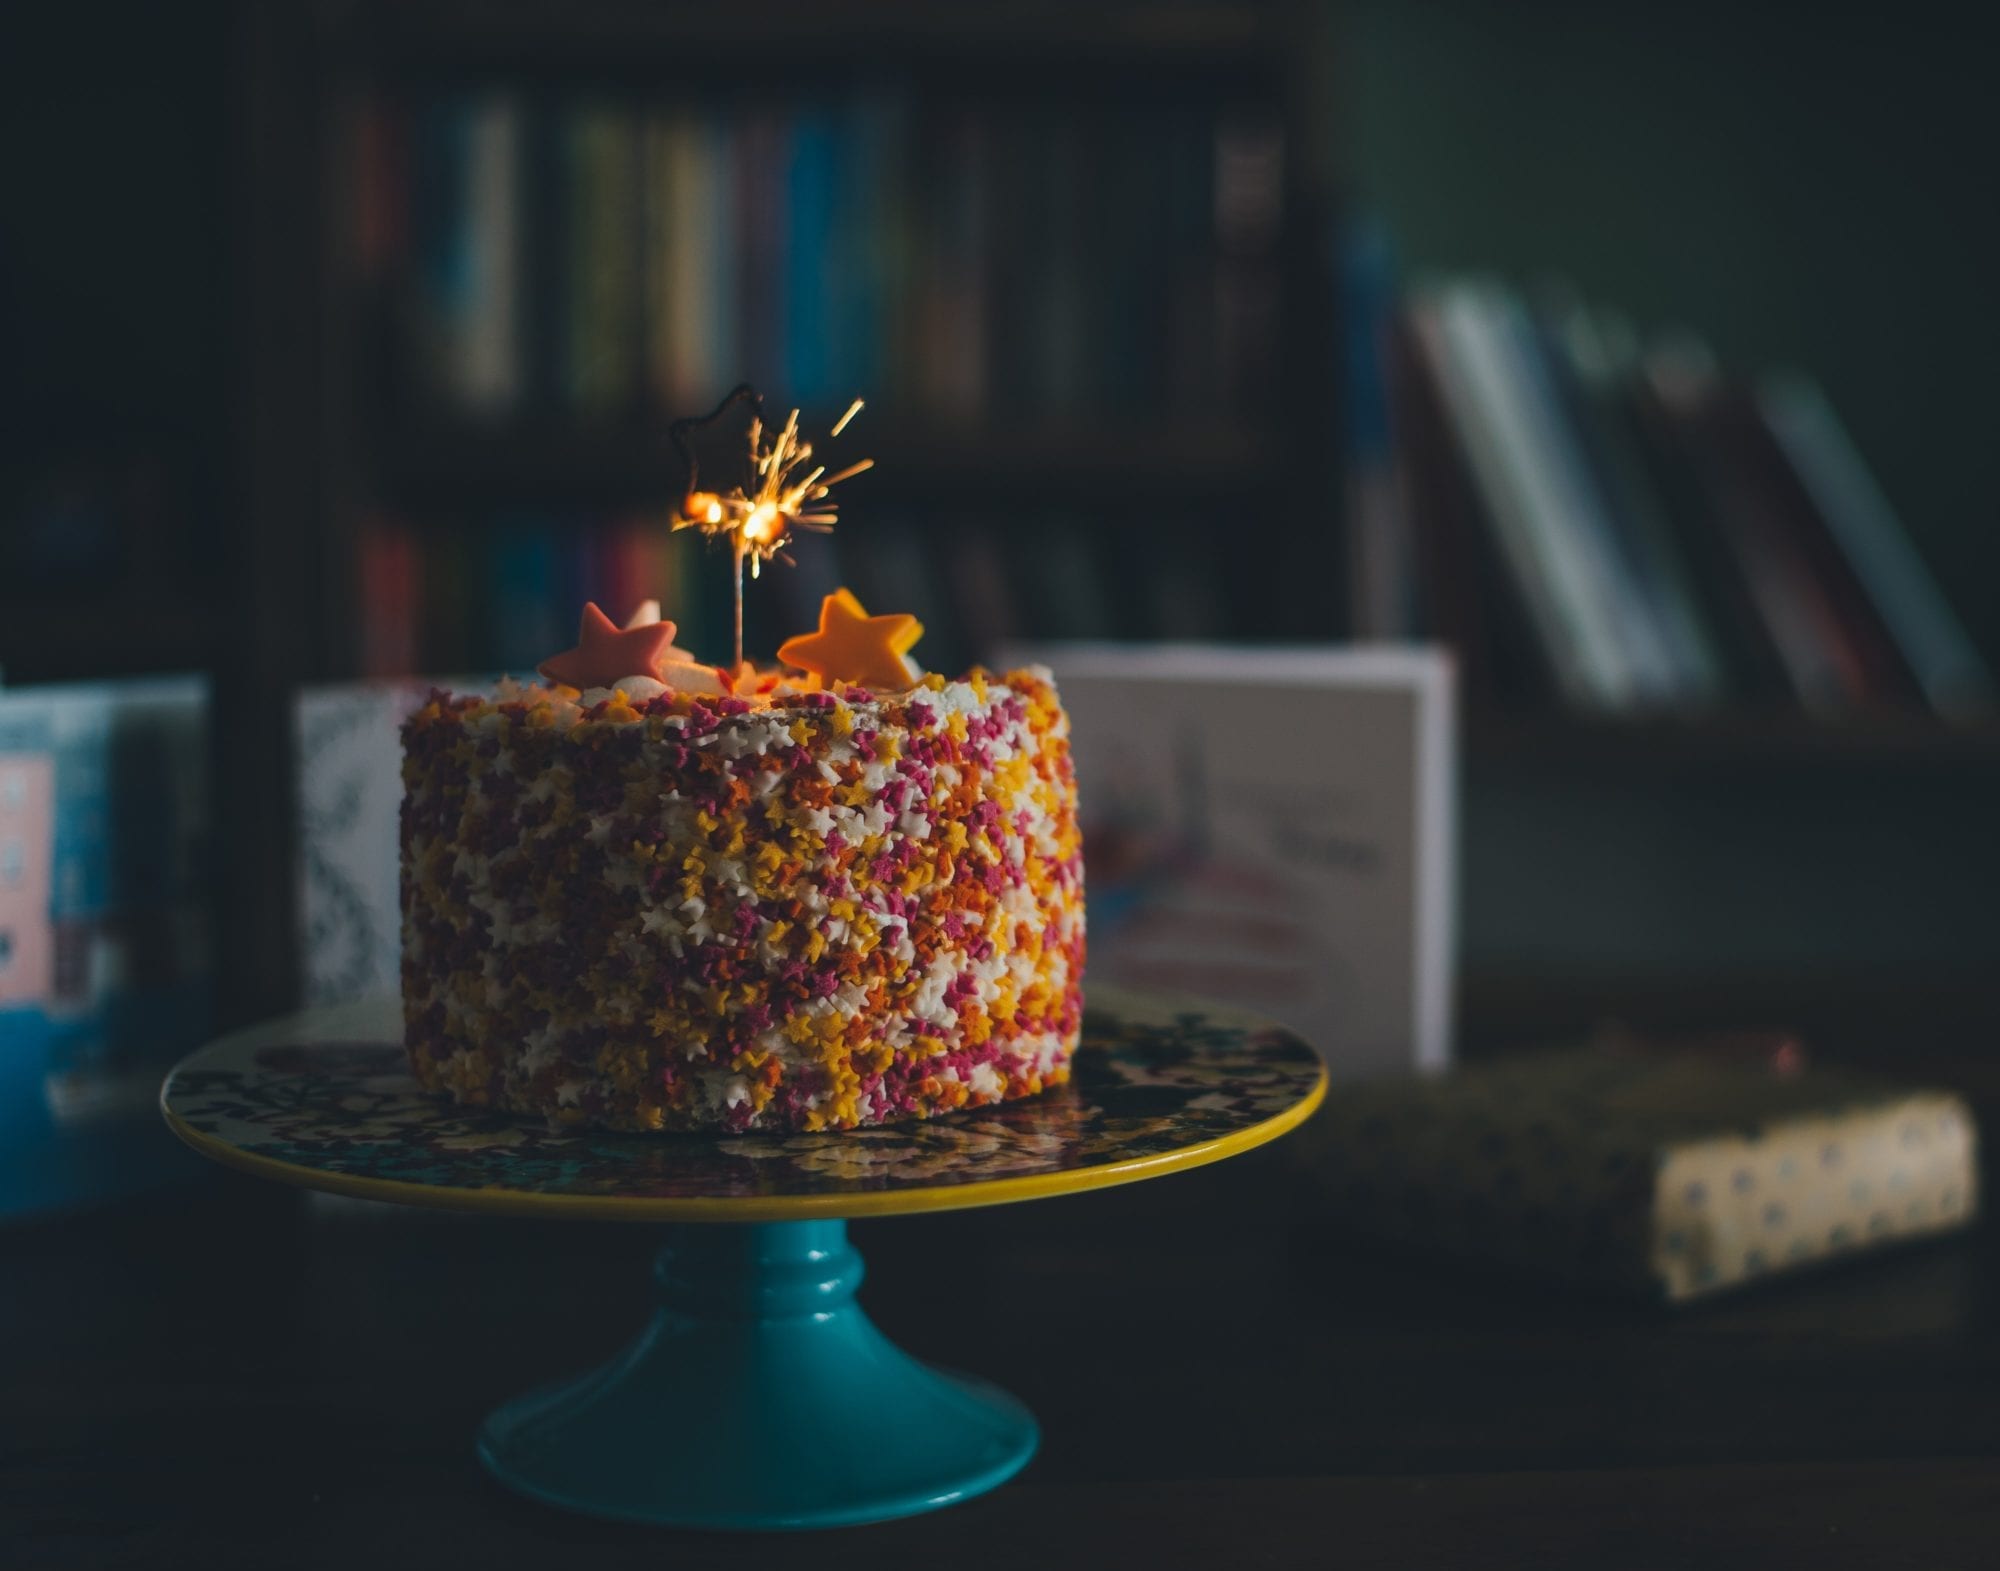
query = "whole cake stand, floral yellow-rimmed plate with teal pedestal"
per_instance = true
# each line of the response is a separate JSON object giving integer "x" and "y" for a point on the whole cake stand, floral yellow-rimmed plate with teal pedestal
{"x": 761, "y": 1396}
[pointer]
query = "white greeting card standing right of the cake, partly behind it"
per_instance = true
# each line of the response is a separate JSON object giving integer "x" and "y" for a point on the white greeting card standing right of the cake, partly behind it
{"x": 1273, "y": 828}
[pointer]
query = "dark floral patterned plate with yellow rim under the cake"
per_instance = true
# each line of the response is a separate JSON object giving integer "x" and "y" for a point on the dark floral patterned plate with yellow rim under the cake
{"x": 323, "y": 1100}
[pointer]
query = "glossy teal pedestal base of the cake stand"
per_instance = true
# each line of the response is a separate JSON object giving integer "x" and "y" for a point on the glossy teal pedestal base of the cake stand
{"x": 761, "y": 1398}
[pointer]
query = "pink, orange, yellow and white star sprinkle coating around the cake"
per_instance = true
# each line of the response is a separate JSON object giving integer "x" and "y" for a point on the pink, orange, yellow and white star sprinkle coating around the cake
{"x": 811, "y": 910}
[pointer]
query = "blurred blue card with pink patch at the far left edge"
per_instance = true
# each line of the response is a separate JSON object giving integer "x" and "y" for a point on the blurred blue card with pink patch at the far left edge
{"x": 105, "y": 954}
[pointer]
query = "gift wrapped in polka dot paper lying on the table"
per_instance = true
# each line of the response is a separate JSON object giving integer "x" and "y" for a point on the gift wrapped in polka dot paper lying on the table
{"x": 1659, "y": 1174}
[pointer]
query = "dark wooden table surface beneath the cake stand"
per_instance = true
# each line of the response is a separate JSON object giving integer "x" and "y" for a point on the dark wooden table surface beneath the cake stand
{"x": 237, "y": 1376}
